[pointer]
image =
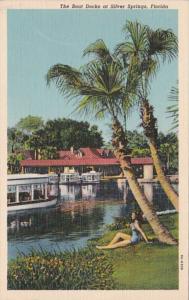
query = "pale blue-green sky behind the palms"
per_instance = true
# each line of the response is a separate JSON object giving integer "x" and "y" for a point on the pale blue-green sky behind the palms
{"x": 38, "y": 39}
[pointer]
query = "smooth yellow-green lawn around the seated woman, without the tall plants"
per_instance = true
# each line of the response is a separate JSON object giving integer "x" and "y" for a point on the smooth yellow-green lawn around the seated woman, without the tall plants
{"x": 145, "y": 266}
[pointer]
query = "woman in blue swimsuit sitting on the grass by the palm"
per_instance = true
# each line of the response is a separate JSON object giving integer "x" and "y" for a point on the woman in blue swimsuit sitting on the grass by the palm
{"x": 123, "y": 239}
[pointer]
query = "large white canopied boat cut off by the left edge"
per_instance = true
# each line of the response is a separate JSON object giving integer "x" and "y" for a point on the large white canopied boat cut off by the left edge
{"x": 29, "y": 191}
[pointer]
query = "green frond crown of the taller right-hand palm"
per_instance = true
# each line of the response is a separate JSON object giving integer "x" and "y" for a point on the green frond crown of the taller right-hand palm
{"x": 142, "y": 52}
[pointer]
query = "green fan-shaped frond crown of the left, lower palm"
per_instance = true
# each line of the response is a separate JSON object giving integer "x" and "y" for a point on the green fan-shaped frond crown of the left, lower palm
{"x": 100, "y": 83}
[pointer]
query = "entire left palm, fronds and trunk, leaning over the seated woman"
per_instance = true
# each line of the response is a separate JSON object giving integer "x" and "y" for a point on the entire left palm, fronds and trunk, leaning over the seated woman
{"x": 100, "y": 89}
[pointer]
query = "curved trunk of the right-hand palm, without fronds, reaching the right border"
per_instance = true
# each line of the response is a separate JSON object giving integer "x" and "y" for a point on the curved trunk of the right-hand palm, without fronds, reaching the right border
{"x": 150, "y": 130}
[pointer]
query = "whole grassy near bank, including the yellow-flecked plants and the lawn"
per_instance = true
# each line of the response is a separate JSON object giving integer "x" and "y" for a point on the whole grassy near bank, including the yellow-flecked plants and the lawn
{"x": 143, "y": 266}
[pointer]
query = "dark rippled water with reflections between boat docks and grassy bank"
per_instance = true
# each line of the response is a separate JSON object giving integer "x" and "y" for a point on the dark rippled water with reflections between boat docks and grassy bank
{"x": 83, "y": 213}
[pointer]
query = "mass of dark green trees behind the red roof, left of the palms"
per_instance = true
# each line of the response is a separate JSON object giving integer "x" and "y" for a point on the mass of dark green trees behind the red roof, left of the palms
{"x": 55, "y": 135}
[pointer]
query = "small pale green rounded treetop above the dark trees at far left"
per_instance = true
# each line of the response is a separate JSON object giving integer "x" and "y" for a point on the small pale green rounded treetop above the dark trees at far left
{"x": 30, "y": 124}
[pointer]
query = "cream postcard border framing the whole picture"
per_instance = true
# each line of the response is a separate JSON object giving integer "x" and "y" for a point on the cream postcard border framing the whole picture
{"x": 182, "y": 292}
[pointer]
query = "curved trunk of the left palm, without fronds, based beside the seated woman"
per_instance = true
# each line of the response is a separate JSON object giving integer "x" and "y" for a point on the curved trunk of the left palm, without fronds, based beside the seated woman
{"x": 119, "y": 142}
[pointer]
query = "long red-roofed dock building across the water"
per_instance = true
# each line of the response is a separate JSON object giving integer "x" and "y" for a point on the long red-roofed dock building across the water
{"x": 86, "y": 159}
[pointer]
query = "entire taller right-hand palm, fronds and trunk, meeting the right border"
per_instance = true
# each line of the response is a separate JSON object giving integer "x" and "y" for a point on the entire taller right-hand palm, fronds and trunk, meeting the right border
{"x": 142, "y": 53}
